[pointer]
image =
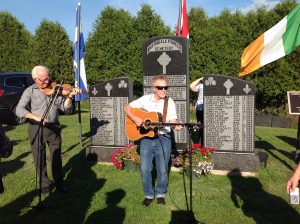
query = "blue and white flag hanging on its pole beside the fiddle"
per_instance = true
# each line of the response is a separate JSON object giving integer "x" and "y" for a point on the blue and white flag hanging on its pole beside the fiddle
{"x": 80, "y": 75}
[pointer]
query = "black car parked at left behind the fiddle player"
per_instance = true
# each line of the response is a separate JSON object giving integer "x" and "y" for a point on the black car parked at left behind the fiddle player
{"x": 12, "y": 86}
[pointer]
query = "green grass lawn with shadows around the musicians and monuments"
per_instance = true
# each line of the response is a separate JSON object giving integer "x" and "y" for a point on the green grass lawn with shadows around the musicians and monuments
{"x": 102, "y": 194}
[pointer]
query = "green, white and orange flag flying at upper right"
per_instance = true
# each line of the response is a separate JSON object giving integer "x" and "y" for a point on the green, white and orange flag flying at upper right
{"x": 275, "y": 43}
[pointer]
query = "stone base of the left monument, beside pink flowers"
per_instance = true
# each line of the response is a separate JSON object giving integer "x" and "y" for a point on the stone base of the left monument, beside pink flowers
{"x": 100, "y": 153}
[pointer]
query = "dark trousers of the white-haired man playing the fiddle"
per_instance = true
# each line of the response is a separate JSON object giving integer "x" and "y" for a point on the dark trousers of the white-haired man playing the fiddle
{"x": 51, "y": 136}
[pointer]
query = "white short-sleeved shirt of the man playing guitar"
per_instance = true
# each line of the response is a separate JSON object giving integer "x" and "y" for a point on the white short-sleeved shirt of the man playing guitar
{"x": 150, "y": 104}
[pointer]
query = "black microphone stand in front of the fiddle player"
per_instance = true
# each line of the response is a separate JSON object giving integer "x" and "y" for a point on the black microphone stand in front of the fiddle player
{"x": 41, "y": 148}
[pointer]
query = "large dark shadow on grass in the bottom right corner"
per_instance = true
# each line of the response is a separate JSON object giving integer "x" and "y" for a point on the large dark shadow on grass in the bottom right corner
{"x": 247, "y": 194}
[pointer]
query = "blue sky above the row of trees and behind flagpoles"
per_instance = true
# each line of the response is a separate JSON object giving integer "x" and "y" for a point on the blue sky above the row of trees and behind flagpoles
{"x": 31, "y": 12}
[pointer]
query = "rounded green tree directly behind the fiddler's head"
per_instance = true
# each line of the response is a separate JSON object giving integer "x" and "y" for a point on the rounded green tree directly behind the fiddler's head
{"x": 52, "y": 47}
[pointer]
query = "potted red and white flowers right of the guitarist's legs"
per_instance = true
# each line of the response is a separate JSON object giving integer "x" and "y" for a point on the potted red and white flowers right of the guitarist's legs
{"x": 201, "y": 160}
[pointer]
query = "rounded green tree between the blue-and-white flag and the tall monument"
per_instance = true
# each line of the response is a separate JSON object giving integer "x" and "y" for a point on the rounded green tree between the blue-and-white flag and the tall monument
{"x": 107, "y": 46}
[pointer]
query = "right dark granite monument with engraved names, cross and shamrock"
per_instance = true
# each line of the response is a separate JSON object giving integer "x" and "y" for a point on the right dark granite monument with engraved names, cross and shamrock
{"x": 229, "y": 122}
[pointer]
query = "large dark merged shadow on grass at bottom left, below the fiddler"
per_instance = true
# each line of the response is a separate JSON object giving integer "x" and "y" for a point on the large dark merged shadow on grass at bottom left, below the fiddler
{"x": 70, "y": 207}
